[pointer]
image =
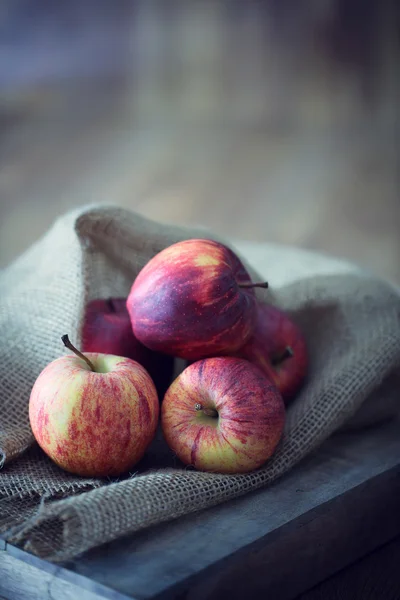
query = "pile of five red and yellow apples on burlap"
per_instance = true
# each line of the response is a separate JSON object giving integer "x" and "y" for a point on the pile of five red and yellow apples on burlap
{"x": 95, "y": 412}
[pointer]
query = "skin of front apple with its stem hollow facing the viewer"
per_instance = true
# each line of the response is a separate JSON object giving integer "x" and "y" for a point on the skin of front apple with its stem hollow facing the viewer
{"x": 250, "y": 420}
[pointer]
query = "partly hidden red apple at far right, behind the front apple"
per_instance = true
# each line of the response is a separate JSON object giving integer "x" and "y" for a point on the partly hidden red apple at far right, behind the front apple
{"x": 278, "y": 347}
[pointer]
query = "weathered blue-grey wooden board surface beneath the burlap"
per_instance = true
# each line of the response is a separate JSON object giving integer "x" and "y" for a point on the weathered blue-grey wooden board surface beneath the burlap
{"x": 333, "y": 508}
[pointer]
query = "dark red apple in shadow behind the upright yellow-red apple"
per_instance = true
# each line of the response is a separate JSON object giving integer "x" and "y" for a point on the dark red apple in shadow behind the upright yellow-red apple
{"x": 107, "y": 329}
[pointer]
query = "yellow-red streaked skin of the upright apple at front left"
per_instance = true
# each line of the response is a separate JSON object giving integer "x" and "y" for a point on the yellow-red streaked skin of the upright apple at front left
{"x": 95, "y": 424}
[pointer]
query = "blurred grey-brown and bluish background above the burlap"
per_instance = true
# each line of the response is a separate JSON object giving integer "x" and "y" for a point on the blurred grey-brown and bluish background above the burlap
{"x": 271, "y": 120}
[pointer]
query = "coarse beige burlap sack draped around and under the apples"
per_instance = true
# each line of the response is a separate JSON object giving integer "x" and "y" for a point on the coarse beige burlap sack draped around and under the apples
{"x": 352, "y": 326}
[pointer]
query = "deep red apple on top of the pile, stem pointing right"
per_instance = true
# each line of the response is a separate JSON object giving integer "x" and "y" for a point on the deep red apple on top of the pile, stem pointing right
{"x": 192, "y": 300}
